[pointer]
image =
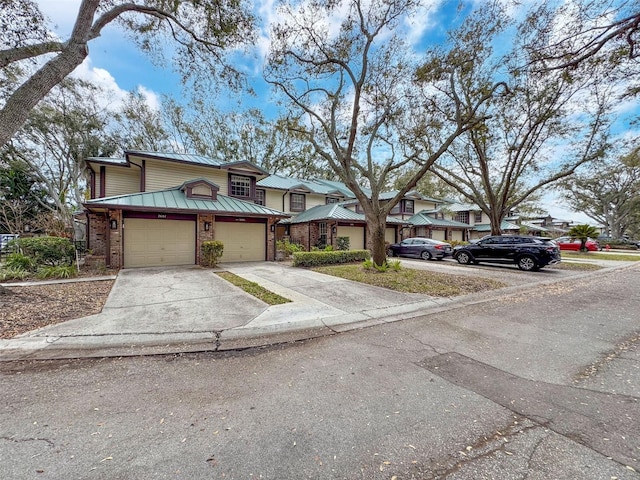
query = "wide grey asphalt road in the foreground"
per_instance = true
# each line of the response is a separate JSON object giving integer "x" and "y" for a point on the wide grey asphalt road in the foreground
{"x": 538, "y": 385}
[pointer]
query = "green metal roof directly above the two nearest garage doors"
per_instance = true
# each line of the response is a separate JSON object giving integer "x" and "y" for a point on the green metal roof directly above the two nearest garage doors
{"x": 175, "y": 199}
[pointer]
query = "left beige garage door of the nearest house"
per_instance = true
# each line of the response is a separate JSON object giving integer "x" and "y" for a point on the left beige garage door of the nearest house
{"x": 154, "y": 243}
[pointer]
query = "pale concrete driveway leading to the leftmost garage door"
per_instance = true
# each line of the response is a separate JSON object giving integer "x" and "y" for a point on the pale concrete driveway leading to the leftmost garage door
{"x": 165, "y": 300}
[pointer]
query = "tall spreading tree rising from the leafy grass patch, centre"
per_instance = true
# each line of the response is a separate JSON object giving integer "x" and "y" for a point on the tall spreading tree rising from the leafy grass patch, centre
{"x": 349, "y": 81}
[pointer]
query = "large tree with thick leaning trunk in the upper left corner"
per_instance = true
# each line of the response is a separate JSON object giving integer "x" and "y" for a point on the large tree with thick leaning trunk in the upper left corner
{"x": 201, "y": 31}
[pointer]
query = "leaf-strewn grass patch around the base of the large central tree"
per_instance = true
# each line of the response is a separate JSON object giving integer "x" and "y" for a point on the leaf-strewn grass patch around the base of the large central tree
{"x": 413, "y": 281}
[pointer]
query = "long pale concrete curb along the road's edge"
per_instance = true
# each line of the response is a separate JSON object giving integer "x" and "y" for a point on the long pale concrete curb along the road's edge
{"x": 247, "y": 336}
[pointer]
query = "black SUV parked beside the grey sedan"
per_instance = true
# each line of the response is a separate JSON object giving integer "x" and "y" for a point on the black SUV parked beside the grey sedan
{"x": 529, "y": 253}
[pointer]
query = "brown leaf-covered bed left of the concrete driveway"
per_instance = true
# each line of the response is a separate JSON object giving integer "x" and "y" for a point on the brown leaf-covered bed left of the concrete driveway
{"x": 27, "y": 308}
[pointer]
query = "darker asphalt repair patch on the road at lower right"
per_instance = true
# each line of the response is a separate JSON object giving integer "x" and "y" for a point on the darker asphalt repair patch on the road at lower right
{"x": 594, "y": 419}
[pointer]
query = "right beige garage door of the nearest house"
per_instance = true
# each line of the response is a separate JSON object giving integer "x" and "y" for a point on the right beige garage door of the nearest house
{"x": 243, "y": 242}
